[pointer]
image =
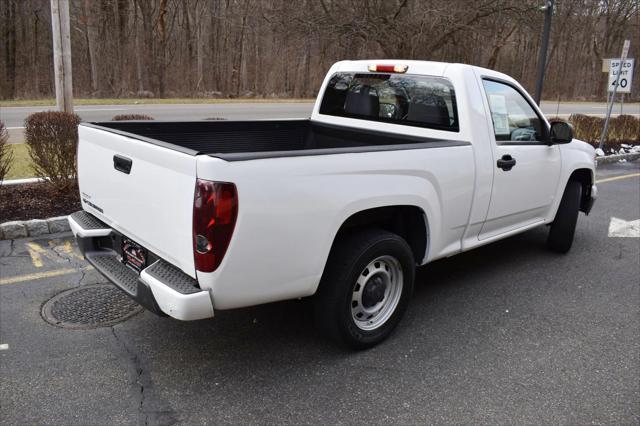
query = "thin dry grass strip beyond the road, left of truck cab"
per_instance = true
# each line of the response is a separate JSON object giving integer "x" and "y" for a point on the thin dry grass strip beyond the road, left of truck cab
{"x": 145, "y": 101}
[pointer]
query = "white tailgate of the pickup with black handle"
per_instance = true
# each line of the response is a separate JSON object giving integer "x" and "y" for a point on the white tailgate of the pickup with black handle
{"x": 152, "y": 204}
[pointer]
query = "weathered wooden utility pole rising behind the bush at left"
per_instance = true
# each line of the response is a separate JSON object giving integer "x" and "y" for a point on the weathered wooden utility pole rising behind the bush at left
{"x": 62, "y": 54}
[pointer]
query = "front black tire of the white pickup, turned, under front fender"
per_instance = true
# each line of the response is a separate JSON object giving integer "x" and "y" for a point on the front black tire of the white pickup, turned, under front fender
{"x": 564, "y": 225}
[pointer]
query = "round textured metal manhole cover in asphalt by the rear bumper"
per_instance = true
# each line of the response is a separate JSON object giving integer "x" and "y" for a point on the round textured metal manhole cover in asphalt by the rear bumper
{"x": 100, "y": 305}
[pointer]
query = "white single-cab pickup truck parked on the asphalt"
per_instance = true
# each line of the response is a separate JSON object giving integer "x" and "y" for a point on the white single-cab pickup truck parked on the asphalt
{"x": 400, "y": 164}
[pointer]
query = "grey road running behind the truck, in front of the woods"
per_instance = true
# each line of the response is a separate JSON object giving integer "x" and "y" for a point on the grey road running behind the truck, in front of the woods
{"x": 14, "y": 116}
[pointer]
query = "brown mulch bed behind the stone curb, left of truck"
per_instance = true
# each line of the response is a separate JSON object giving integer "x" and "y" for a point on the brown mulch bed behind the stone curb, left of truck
{"x": 36, "y": 201}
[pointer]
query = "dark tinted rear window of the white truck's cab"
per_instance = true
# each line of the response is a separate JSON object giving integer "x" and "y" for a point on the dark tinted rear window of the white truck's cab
{"x": 410, "y": 100}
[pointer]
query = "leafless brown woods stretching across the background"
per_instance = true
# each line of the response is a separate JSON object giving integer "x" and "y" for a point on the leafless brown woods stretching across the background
{"x": 283, "y": 48}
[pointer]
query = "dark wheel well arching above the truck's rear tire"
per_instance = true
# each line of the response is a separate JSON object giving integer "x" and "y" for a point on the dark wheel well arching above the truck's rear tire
{"x": 409, "y": 222}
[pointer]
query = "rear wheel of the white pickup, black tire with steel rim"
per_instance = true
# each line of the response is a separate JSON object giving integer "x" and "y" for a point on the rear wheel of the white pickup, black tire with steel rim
{"x": 338, "y": 287}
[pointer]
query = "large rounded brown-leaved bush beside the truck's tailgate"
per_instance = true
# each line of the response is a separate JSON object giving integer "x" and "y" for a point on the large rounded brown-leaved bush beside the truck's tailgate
{"x": 52, "y": 139}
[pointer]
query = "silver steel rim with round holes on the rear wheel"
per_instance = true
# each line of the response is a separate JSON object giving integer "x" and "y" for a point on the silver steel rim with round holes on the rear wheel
{"x": 385, "y": 269}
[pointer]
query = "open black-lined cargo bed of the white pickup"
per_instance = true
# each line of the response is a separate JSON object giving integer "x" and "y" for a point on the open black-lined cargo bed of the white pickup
{"x": 247, "y": 140}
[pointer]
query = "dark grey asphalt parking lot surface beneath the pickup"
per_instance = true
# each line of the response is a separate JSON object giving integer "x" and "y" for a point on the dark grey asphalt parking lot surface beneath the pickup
{"x": 508, "y": 333}
